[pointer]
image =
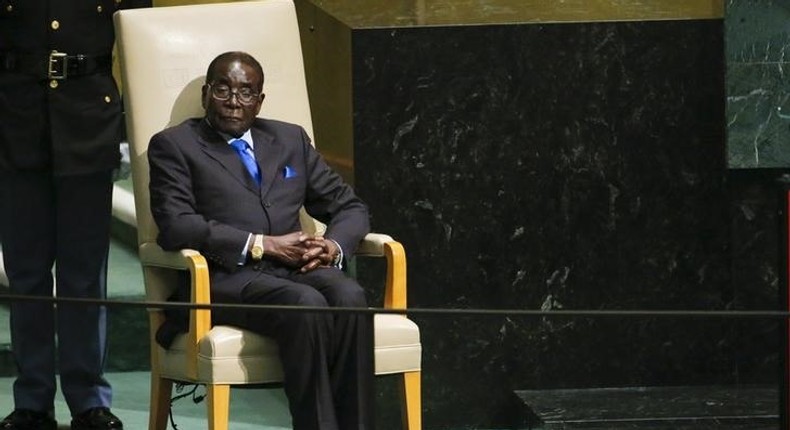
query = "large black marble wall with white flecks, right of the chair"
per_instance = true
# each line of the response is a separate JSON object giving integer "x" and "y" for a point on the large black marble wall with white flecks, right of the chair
{"x": 563, "y": 166}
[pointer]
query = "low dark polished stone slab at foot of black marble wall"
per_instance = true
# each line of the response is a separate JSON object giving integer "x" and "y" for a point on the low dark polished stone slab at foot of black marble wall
{"x": 692, "y": 407}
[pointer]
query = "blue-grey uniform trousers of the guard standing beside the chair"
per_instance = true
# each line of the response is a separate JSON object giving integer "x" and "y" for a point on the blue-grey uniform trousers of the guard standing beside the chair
{"x": 65, "y": 222}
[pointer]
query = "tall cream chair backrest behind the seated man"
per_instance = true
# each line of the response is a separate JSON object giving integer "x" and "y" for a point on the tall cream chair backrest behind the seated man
{"x": 164, "y": 53}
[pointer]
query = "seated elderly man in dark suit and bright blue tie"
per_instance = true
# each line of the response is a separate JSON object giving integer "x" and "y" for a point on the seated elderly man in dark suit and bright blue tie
{"x": 231, "y": 185}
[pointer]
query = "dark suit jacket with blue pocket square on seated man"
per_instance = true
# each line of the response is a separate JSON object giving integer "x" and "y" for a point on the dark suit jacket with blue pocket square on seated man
{"x": 203, "y": 198}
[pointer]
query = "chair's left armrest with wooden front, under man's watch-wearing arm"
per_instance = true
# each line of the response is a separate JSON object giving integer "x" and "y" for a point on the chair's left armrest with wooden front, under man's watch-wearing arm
{"x": 152, "y": 254}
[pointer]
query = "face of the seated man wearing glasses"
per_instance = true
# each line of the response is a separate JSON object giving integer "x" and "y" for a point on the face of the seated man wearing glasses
{"x": 232, "y": 116}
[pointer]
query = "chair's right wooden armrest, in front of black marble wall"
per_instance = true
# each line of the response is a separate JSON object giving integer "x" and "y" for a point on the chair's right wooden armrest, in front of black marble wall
{"x": 381, "y": 245}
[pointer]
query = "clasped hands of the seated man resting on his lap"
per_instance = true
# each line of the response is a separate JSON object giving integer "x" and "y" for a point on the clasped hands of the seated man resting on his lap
{"x": 301, "y": 251}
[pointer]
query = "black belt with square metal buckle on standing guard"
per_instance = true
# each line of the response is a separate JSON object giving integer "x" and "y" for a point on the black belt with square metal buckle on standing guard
{"x": 55, "y": 65}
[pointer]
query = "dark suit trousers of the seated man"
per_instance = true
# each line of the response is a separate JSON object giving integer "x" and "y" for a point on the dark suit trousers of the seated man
{"x": 327, "y": 358}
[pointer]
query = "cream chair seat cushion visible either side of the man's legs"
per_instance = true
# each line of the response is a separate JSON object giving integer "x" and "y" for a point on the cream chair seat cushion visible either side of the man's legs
{"x": 231, "y": 355}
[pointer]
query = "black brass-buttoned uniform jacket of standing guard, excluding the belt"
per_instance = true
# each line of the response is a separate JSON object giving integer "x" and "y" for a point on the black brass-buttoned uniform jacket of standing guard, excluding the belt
{"x": 71, "y": 126}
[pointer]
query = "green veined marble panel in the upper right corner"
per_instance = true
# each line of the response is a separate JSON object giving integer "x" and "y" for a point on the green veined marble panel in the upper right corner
{"x": 758, "y": 104}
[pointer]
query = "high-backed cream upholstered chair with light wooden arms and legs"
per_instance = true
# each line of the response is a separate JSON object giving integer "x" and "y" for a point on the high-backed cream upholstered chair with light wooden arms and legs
{"x": 164, "y": 53}
